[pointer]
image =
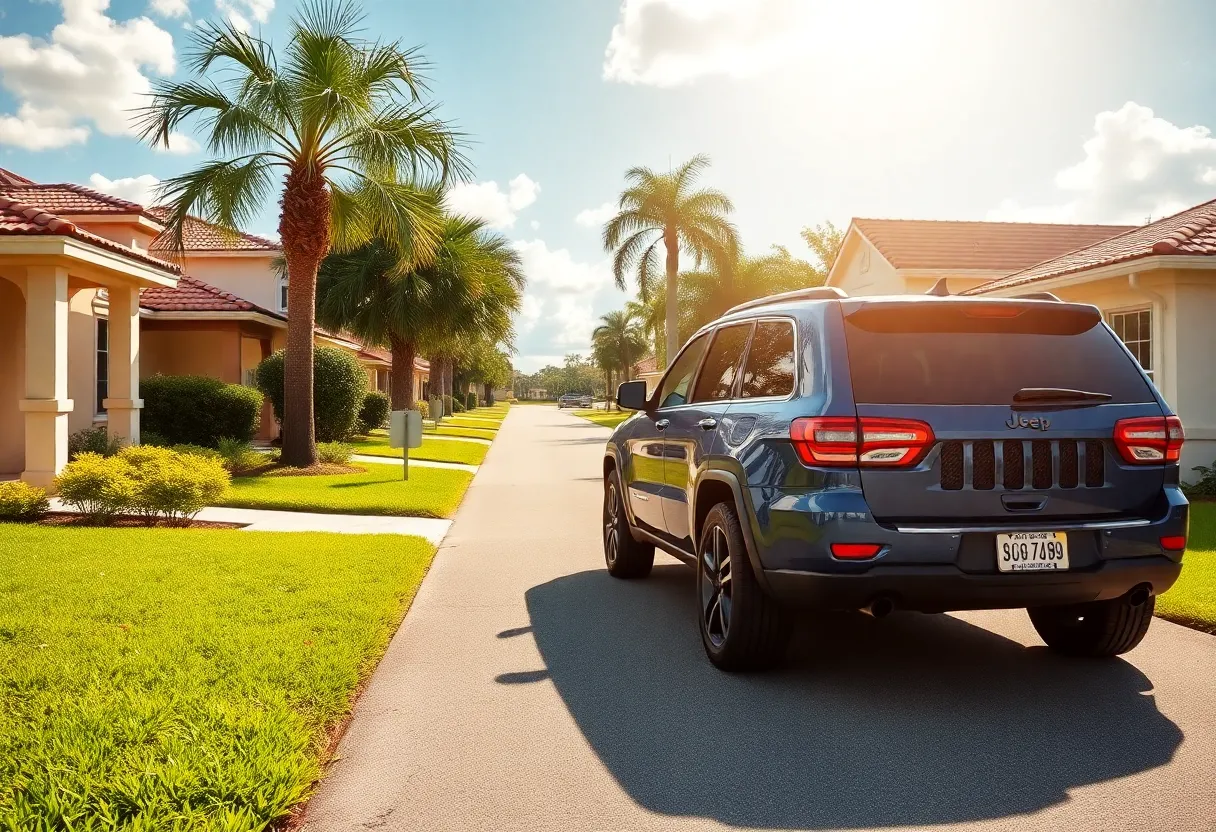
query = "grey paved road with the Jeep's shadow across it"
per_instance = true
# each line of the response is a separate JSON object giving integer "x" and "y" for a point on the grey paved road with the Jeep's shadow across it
{"x": 530, "y": 692}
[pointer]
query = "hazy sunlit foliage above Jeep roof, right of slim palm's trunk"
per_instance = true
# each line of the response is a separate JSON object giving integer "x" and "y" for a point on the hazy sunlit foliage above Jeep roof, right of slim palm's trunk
{"x": 708, "y": 295}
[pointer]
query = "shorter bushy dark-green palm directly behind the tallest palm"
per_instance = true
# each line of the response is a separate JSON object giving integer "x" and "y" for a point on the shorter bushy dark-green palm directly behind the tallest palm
{"x": 373, "y": 295}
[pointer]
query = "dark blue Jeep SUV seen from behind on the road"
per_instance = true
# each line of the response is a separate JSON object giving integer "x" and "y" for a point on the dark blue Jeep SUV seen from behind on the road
{"x": 903, "y": 453}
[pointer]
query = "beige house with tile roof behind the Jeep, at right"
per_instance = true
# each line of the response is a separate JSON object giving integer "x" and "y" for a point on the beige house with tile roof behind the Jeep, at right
{"x": 1155, "y": 284}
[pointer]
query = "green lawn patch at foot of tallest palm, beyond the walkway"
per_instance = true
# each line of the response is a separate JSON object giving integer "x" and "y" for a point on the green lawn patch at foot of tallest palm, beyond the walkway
{"x": 380, "y": 491}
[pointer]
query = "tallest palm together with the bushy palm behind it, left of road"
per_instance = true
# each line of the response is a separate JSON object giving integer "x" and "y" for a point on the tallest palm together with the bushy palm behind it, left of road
{"x": 345, "y": 132}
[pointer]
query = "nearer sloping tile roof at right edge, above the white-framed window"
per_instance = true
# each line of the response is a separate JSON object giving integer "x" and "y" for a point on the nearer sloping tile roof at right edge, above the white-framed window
{"x": 1192, "y": 232}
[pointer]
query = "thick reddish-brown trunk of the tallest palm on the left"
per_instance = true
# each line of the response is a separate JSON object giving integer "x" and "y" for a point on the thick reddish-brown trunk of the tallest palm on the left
{"x": 305, "y": 231}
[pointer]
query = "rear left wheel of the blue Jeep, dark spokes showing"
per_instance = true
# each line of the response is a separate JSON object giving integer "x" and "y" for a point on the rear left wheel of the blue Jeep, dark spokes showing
{"x": 741, "y": 627}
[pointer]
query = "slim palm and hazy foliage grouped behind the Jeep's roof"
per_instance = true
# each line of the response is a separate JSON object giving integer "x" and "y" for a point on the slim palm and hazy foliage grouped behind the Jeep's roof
{"x": 666, "y": 215}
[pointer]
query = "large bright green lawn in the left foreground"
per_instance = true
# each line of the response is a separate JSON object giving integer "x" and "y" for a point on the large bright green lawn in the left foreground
{"x": 168, "y": 679}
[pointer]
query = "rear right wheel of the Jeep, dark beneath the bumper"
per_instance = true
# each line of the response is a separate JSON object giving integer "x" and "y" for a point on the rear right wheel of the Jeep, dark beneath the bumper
{"x": 1095, "y": 629}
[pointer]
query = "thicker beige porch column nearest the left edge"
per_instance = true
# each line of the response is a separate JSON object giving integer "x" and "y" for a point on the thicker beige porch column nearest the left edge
{"x": 47, "y": 404}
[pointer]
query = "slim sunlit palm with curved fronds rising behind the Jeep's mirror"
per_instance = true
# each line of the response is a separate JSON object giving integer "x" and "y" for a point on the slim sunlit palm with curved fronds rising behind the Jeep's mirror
{"x": 666, "y": 209}
